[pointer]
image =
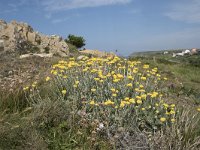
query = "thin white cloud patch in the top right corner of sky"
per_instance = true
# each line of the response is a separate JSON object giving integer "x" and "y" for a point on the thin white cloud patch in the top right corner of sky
{"x": 187, "y": 11}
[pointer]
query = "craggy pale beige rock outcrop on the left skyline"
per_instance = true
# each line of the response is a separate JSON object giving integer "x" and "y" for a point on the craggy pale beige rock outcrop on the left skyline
{"x": 20, "y": 37}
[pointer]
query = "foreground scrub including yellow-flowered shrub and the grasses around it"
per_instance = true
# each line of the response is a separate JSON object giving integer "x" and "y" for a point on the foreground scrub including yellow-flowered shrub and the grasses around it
{"x": 105, "y": 103}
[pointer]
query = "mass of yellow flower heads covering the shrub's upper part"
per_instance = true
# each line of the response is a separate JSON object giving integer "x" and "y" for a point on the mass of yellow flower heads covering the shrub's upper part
{"x": 113, "y": 83}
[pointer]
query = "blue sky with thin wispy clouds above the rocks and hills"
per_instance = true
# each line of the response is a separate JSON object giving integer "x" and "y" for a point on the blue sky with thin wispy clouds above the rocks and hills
{"x": 125, "y": 25}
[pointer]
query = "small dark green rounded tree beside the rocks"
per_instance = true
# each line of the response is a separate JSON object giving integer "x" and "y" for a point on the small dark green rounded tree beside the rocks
{"x": 77, "y": 41}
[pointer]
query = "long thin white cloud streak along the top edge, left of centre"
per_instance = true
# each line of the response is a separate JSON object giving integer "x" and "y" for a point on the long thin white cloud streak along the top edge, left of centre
{"x": 56, "y": 5}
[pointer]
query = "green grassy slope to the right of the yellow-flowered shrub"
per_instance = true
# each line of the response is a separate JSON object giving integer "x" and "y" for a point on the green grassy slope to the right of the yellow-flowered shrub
{"x": 183, "y": 72}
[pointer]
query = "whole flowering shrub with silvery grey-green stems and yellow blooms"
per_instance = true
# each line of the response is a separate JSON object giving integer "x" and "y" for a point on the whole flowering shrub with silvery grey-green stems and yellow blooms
{"x": 115, "y": 91}
